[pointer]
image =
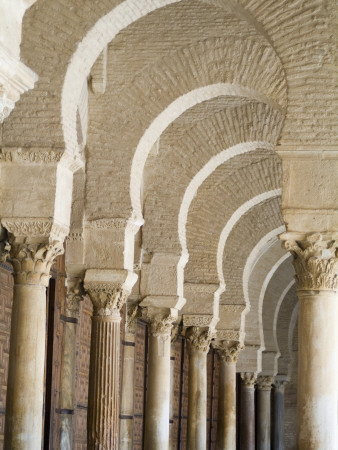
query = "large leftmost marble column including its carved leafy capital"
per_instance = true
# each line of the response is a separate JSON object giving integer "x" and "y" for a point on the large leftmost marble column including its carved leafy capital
{"x": 24, "y": 404}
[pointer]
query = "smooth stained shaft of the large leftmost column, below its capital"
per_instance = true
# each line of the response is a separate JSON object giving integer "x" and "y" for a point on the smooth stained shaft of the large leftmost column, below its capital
{"x": 24, "y": 403}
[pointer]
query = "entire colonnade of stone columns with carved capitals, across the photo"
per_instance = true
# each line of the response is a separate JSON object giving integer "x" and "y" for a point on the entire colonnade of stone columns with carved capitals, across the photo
{"x": 315, "y": 263}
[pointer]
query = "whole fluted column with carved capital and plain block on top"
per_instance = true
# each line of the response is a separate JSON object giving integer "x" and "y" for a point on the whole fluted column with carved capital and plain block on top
{"x": 108, "y": 292}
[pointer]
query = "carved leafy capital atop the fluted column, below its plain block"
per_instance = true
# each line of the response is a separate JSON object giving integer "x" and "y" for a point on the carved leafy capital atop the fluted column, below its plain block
{"x": 107, "y": 298}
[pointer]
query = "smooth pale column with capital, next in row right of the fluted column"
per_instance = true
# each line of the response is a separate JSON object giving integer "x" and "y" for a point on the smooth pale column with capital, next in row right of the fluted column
{"x": 158, "y": 380}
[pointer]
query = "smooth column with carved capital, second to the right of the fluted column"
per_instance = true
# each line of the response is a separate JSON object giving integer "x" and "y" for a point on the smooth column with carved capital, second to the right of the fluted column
{"x": 198, "y": 343}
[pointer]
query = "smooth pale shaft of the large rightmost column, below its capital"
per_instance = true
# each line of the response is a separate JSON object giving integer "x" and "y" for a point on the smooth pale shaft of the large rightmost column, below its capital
{"x": 317, "y": 370}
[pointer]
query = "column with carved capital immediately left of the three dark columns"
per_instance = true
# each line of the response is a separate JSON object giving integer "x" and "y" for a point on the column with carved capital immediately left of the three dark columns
{"x": 228, "y": 352}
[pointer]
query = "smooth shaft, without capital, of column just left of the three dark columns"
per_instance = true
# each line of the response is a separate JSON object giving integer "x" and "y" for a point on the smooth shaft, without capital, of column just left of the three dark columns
{"x": 226, "y": 426}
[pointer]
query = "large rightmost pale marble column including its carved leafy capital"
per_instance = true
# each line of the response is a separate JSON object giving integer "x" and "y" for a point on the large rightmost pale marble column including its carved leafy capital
{"x": 316, "y": 265}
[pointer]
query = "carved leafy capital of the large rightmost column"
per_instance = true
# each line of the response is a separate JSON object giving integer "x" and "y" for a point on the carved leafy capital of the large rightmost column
{"x": 315, "y": 259}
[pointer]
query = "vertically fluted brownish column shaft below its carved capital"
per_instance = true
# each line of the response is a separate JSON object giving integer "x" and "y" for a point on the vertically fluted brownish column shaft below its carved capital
{"x": 103, "y": 396}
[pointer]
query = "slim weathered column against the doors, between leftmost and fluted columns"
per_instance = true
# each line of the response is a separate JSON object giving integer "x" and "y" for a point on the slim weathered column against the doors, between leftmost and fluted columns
{"x": 68, "y": 371}
